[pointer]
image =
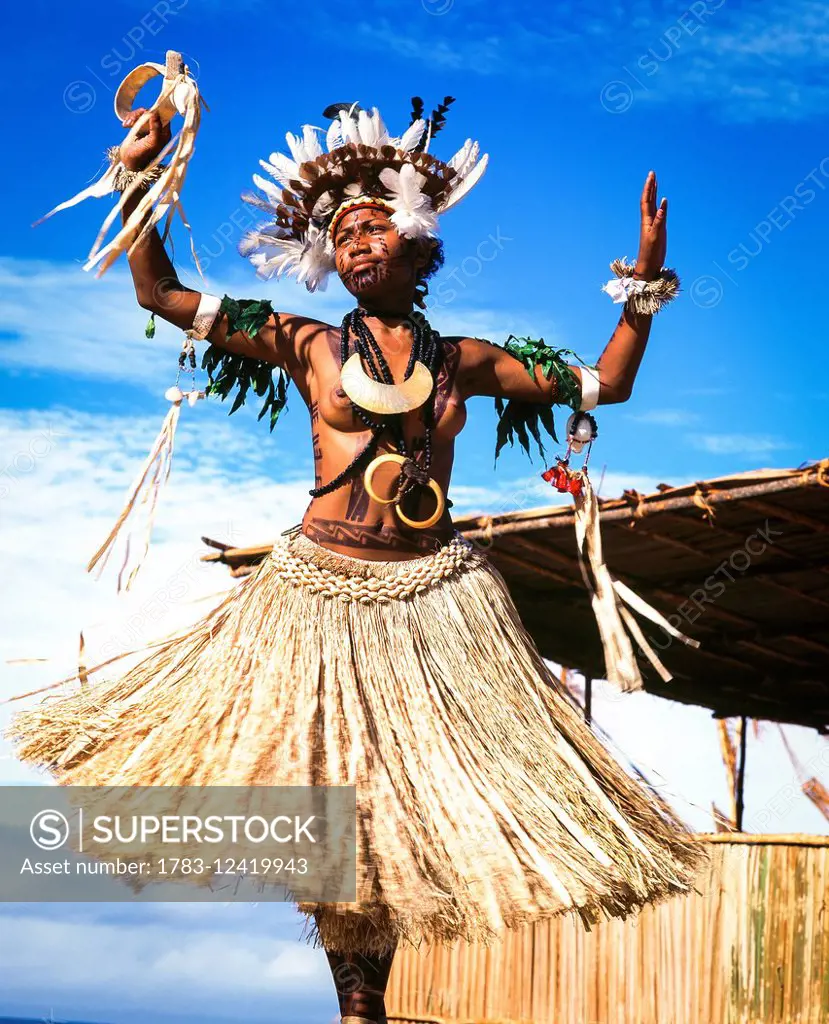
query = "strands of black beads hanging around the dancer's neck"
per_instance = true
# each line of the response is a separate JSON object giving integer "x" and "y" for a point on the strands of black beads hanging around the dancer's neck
{"x": 426, "y": 348}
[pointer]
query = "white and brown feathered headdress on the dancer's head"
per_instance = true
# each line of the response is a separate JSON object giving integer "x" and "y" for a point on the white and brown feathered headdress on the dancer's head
{"x": 310, "y": 191}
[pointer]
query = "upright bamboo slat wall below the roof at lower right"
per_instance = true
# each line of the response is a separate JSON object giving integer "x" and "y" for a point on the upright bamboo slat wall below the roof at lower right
{"x": 752, "y": 947}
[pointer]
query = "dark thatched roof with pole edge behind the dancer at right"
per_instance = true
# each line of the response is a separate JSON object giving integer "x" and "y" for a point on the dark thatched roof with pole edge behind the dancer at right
{"x": 744, "y": 561}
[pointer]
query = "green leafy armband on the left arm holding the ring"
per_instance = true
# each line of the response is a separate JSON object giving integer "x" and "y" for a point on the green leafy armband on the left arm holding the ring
{"x": 228, "y": 372}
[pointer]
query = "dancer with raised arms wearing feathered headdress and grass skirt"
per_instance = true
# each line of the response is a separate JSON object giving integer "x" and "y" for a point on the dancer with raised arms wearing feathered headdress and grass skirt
{"x": 485, "y": 801}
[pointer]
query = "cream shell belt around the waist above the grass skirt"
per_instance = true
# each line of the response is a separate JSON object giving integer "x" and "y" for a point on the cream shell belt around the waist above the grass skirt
{"x": 413, "y": 579}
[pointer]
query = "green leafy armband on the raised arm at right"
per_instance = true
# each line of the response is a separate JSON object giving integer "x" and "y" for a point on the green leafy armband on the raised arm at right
{"x": 525, "y": 419}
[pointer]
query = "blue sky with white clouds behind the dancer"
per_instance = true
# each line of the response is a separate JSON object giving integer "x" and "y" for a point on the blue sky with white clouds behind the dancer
{"x": 728, "y": 102}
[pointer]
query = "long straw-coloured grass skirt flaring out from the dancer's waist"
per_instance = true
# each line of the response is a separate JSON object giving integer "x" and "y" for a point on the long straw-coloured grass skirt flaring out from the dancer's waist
{"x": 485, "y": 802}
